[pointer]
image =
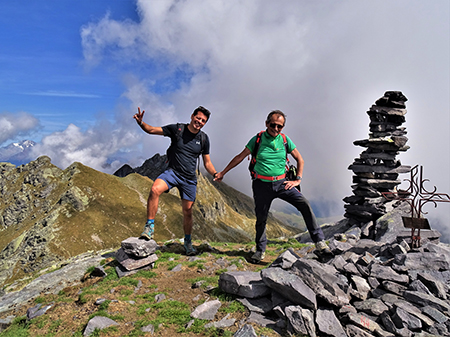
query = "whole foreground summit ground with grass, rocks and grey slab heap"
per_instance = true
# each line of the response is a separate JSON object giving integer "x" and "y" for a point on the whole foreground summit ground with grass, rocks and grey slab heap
{"x": 367, "y": 287}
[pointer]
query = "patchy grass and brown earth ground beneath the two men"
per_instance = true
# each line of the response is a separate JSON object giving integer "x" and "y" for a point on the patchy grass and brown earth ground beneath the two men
{"x": 130, "y": 301}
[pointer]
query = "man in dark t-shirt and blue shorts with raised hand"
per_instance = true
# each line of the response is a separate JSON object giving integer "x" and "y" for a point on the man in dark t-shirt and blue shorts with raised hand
{"x": 187, "y": 143}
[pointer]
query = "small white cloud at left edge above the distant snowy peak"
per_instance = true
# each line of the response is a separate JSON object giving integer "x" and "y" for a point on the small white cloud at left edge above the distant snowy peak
{"x": 13, "y": 125}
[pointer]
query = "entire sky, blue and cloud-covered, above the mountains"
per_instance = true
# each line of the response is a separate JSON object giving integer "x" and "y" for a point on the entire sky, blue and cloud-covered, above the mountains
{"x": 72, "y": 74}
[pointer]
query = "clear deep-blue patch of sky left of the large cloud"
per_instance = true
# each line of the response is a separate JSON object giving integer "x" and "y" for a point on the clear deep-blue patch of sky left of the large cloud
{"x": 41, "y": 62}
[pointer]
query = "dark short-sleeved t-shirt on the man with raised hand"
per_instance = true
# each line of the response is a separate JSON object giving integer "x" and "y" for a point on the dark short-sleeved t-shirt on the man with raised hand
{"x": 185, "y": 150}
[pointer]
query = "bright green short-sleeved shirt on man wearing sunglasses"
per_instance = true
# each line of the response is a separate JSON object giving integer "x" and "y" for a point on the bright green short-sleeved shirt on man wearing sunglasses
{"x": 271, "y": 156}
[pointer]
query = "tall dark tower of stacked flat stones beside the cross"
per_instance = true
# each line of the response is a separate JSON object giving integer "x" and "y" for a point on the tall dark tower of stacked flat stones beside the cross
{"x": 377, "y": 168}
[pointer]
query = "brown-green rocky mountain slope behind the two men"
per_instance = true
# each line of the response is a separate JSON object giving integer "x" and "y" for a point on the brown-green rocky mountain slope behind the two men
{"x": 48, "y": 215}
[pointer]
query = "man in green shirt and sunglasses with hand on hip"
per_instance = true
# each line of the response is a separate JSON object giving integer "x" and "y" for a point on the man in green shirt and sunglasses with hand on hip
{"x": 269, "y": 181}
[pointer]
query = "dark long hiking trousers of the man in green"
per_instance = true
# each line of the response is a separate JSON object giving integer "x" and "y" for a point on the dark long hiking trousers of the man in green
{"x": 264, "y": 193}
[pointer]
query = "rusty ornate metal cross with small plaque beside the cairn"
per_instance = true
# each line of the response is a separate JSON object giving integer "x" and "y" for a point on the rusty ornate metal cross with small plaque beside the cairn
{"x": 417, "y": 196}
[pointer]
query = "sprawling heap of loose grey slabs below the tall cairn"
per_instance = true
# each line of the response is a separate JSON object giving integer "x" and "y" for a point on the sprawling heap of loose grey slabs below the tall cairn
{"x": 368, "y": 288}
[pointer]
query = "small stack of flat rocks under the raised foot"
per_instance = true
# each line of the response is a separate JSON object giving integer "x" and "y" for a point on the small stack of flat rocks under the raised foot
{"x": 135, "y": 254}
